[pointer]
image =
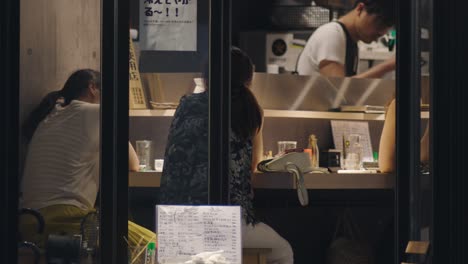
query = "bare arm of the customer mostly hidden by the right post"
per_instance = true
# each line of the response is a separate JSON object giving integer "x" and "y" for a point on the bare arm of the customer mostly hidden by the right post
{"x": 388, "y": 141}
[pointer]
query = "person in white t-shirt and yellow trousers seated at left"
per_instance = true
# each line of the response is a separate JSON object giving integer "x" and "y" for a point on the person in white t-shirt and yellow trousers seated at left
{"x": 61, "y": 174}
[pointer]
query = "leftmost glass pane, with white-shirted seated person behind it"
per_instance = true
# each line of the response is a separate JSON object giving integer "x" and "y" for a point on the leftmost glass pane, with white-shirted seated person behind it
{"x": 59, "y": 112}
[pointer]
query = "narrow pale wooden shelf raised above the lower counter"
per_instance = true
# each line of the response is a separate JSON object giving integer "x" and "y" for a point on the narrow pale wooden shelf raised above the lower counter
{"x": 281, "y": 114}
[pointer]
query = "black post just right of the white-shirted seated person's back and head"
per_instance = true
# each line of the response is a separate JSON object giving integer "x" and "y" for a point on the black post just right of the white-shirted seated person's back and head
{"x": 114, "y": 131}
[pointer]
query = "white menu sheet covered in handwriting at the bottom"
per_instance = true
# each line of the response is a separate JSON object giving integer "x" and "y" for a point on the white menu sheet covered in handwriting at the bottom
{"x": 184, "y": 231}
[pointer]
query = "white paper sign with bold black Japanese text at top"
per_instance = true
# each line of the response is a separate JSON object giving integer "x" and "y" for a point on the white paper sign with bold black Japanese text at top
{"x": 168, "y": 25}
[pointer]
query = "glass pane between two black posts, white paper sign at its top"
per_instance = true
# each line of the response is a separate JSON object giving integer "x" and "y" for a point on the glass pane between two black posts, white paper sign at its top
{"x": 168, "y": 127}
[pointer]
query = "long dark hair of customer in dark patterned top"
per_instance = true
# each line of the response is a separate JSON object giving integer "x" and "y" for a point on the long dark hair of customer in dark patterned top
{"x": 246, "y": 113}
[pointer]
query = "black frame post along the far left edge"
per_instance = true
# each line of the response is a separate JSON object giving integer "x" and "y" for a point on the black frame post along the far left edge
{"x": 9, "y": 133}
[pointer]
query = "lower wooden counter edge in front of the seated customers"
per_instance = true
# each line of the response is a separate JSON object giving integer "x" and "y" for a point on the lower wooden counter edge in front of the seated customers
{"x": 286, "y": 180}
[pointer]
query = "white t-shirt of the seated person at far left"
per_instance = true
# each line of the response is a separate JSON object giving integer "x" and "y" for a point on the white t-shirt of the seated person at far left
{"x": 62, "y": 163}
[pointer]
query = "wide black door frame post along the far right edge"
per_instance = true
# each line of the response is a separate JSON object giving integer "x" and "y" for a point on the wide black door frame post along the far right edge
{"x": 449, "y": 132}
